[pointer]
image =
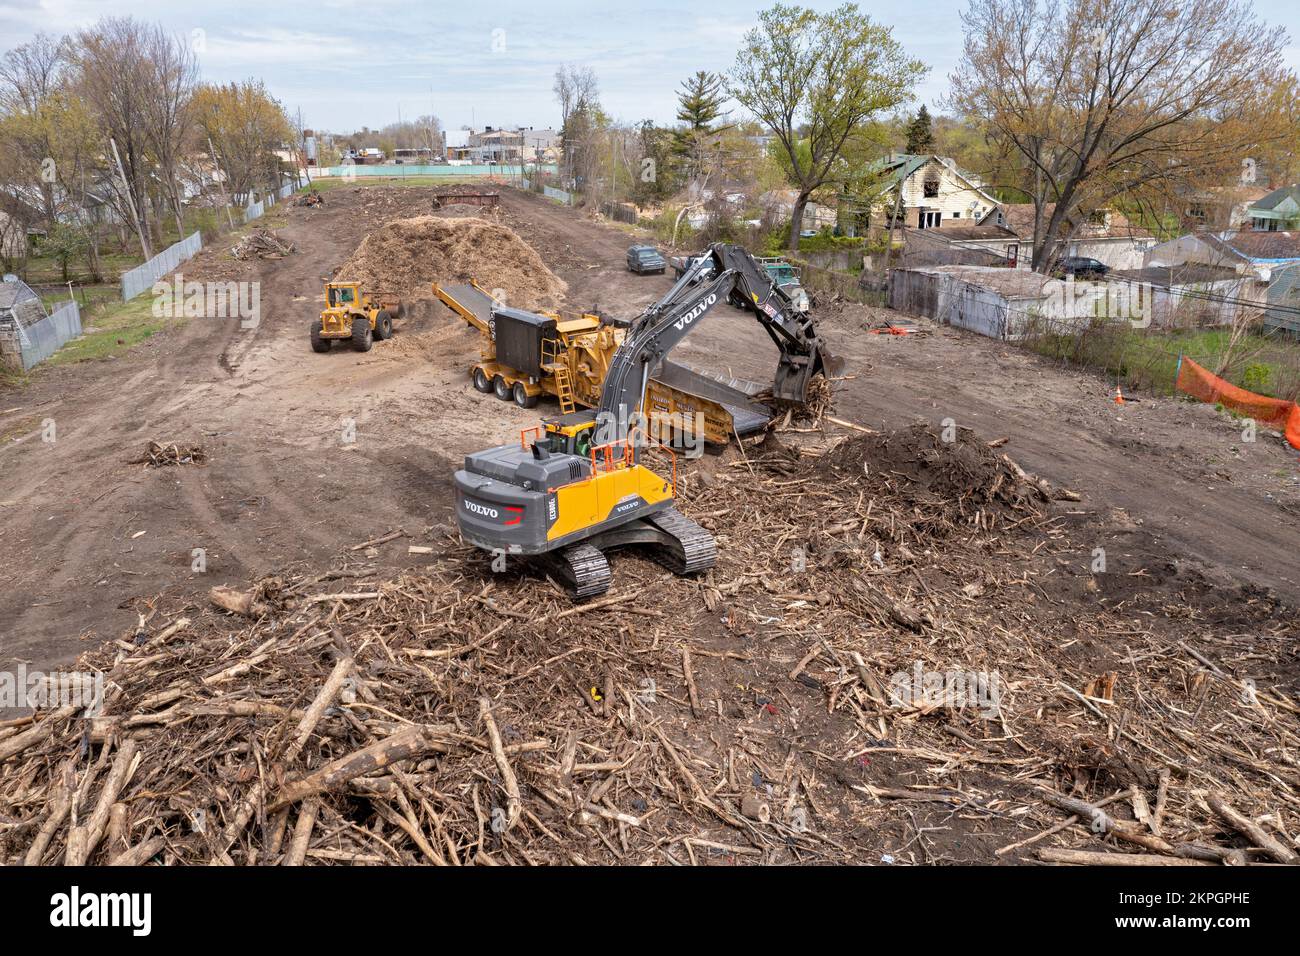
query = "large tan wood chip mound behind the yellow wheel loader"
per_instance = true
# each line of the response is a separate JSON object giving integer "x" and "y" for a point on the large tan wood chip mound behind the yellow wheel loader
{"x": 409, "y": 256}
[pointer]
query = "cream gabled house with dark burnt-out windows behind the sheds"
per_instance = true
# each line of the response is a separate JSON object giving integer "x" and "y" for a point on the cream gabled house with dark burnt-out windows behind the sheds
{"x": 935, "y": 194}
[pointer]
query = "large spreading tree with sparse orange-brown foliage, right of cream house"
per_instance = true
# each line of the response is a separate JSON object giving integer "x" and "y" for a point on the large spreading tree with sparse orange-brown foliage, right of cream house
{"x": 1116, "y": 101}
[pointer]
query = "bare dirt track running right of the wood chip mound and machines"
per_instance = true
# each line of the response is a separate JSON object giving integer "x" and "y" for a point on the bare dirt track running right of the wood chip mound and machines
{"x": 1178, "y": 471}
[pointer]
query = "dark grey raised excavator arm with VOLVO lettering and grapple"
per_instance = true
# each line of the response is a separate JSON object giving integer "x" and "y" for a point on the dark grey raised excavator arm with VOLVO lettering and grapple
{"x": 725, "y": 274}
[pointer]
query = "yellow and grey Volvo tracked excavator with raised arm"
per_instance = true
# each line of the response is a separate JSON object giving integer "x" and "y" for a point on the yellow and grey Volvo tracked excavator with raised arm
{"x": 579, "y": 485}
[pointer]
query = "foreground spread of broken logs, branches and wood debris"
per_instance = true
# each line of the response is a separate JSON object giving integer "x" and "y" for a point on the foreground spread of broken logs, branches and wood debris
{"x": 751, "y": 716}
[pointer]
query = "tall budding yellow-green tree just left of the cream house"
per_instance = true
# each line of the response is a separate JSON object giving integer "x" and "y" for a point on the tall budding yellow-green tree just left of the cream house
{"x": 820, "y": 77}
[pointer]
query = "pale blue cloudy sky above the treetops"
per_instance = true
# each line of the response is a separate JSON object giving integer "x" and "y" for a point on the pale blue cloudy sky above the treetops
{"x": 354, "y": 63}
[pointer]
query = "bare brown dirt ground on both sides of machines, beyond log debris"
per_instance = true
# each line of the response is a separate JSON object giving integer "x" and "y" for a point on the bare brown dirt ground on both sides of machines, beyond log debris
{"x": 89, "y": 540}
